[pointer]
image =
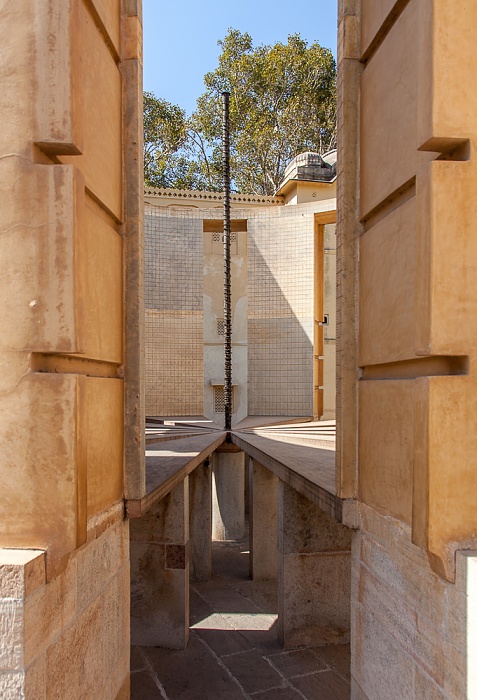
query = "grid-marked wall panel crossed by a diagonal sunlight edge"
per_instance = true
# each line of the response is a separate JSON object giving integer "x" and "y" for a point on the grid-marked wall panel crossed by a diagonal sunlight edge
{"x": 280, "y": 312}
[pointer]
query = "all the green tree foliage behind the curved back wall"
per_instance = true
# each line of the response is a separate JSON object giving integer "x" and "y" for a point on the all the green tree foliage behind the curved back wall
{"x": 283, "y": 102}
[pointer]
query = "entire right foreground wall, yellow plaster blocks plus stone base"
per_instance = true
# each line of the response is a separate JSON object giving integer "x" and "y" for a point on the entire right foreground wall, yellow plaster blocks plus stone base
{"x": 407, "y": 261}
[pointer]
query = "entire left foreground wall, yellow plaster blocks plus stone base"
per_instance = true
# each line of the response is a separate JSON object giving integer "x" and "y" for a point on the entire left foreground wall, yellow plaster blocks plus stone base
{"x": 70, "y": 102}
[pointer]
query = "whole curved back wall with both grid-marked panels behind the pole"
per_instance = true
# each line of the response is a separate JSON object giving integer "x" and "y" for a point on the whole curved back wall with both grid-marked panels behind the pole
{"x": 274, "y": 274}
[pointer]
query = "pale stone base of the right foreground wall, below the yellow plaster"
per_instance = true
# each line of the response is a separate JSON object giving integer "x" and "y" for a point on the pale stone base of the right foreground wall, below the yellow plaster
{"x": 410, "y": 627}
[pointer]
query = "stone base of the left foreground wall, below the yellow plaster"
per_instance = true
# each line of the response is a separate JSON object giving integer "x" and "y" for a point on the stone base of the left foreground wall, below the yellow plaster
{"x": 68, "y": 637}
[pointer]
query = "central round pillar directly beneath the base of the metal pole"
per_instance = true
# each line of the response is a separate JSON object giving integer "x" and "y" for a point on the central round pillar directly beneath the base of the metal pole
{"x": 228, "y": 502}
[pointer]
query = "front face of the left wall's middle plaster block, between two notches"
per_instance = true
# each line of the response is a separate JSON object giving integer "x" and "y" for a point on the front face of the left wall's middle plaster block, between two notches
{"x": 40, "y": 221}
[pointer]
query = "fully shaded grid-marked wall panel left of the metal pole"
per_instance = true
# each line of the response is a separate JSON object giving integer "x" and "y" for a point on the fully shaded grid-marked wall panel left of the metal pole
{"x": 174, "y": 333}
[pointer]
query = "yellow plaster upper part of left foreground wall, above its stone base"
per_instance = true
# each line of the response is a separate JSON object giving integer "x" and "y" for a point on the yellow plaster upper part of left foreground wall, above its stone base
{"x": 61, "y": 275}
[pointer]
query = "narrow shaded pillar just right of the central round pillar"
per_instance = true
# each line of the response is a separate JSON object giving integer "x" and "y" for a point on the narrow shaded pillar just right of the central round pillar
{"x": 263, "y": 522}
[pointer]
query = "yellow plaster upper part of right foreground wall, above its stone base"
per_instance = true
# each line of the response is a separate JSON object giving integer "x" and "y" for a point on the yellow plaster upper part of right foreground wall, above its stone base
{"x": 416, "y": 287}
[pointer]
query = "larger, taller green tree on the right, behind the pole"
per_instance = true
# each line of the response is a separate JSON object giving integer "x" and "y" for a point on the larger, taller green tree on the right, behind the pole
{"x": 283, "y": 102}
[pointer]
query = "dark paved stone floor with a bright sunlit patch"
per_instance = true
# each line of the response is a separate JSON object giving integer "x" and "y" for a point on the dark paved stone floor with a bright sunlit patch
{"x": 233, "y": 652}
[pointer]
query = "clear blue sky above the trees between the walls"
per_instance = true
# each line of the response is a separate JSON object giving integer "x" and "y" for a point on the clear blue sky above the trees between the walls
{"x": 180, "y": 38}
